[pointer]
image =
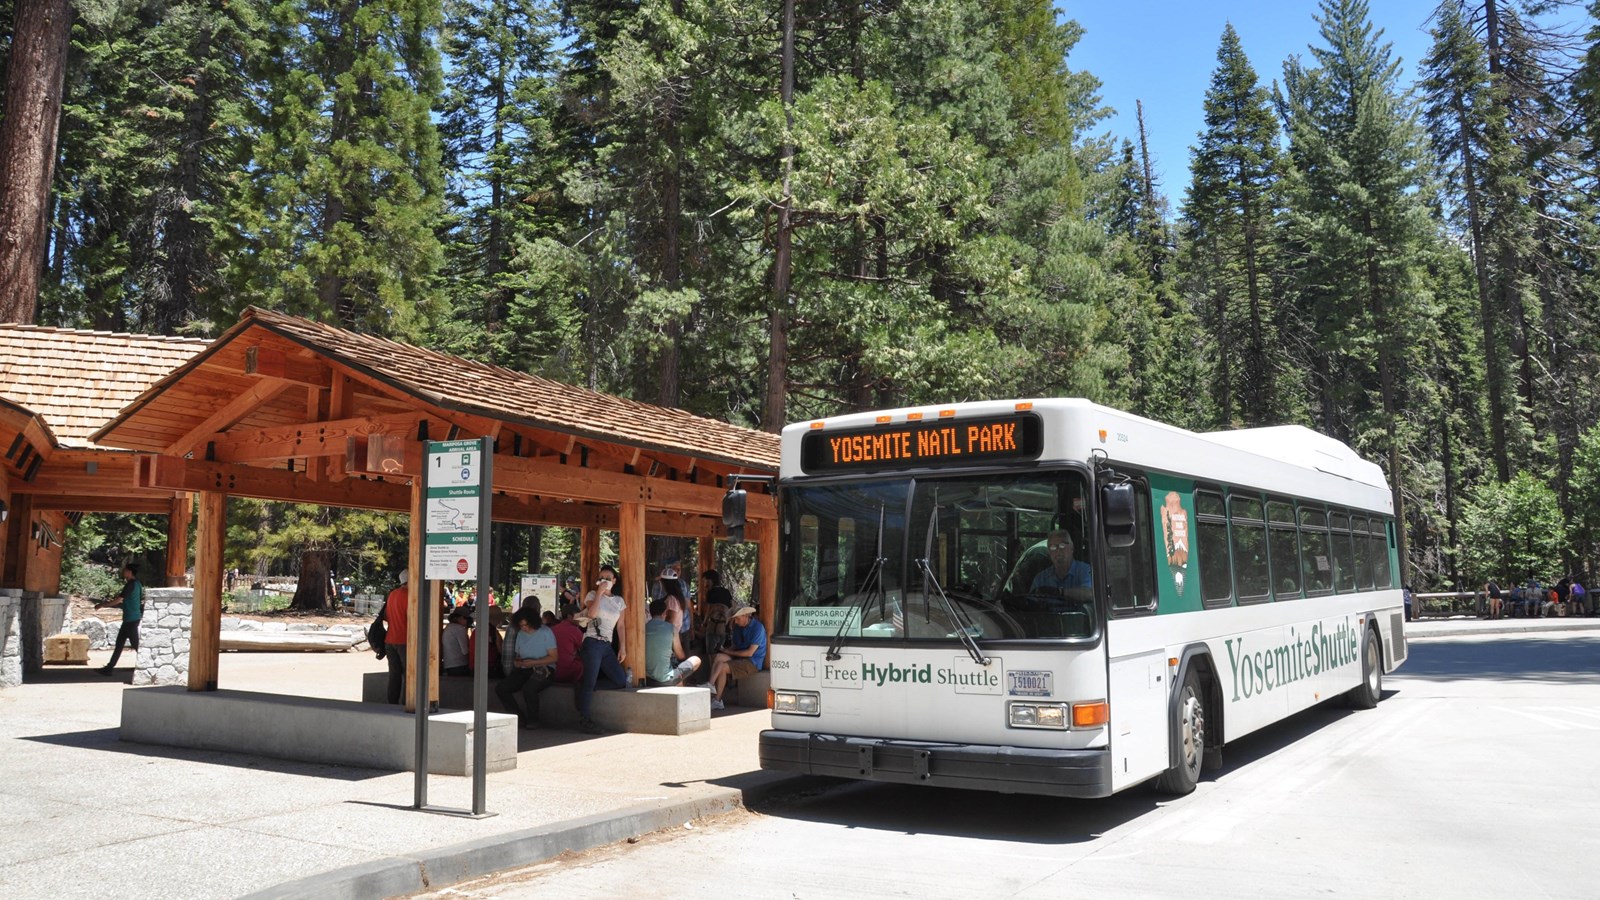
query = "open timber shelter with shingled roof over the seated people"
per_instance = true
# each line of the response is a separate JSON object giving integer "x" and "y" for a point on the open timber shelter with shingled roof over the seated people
{"x": 289, "y": 409}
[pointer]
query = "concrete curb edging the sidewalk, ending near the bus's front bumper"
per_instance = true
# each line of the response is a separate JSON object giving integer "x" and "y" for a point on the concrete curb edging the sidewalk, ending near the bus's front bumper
{"x": 530, "y": 846}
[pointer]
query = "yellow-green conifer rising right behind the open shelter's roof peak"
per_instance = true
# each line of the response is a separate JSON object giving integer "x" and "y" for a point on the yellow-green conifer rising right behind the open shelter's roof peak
{"x": 346, "y": 187}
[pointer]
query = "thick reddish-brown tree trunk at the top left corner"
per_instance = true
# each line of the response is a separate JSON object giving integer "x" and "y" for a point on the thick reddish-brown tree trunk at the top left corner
{"x": 28, "y": 150}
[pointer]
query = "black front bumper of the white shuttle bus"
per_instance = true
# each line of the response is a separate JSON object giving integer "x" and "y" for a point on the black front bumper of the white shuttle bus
{"x": 983, "y": 768}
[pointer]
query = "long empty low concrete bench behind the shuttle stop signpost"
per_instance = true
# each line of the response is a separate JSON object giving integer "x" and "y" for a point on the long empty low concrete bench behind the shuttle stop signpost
{"x": 311, "y": 729}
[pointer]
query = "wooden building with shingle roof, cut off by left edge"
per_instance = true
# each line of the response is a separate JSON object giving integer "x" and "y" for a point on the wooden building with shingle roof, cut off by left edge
{"x": 57, "y": 388}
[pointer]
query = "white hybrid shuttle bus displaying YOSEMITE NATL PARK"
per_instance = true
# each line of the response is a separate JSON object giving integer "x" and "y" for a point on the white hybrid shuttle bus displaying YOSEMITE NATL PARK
{"x": 1058, "y": 598}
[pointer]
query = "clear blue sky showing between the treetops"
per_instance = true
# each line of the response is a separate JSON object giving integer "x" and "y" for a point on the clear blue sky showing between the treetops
{"x": 1164, "y": 52}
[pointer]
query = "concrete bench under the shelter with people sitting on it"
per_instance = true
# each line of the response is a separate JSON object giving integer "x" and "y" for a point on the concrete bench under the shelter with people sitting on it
{"x": 646, "y": 712}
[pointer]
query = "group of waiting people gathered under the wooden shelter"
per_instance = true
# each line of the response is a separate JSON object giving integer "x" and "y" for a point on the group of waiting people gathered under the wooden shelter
{"x": 580, "y": 641}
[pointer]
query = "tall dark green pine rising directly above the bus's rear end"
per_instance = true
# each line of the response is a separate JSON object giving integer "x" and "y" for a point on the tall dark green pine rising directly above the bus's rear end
{"x": 1359, "y": 217}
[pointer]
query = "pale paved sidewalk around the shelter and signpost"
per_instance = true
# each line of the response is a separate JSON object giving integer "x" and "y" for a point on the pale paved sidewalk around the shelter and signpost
{"x": 84, "y": 814}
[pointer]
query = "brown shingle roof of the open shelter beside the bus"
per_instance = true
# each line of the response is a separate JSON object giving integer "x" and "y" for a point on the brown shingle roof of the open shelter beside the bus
{"x": 490, "y": 392}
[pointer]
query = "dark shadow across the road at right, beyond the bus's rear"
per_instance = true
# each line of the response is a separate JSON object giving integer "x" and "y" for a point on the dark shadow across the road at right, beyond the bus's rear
{"x": 1513, "y": 659}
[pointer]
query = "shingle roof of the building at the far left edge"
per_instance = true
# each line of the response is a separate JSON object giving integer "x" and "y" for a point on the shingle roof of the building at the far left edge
{"x": 78, "y": 382}
